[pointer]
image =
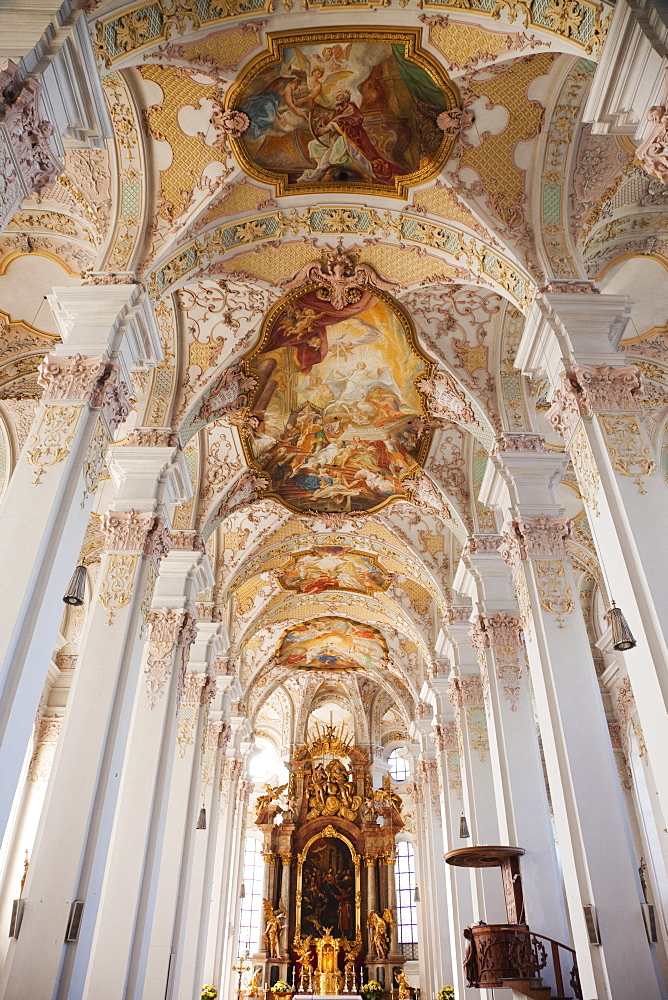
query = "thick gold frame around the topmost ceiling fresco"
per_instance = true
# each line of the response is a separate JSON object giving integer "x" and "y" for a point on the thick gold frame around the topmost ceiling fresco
{"x": 278, "y": 41}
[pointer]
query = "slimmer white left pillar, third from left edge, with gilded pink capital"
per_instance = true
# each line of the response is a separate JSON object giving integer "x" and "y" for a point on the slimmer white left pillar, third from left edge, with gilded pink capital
{"x": 126, "y": 904}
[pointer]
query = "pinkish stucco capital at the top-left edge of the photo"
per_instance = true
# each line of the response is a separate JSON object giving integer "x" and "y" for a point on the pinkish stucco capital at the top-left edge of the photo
{"x": 27, "y": 162}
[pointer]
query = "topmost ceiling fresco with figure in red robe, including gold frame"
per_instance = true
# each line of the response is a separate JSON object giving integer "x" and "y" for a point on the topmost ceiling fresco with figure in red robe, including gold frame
{"x": 335, "y": 110}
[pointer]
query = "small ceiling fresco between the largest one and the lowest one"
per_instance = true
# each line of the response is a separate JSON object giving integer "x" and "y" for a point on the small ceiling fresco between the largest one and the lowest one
{"x": 332, "y": 567}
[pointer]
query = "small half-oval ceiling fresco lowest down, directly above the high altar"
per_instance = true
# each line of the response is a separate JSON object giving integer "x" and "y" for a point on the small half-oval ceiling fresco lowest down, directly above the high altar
{"x": 332, "y": 644}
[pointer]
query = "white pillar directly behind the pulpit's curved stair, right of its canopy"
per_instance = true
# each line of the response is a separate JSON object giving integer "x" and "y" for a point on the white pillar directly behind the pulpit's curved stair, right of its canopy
{"x": 521, "y": 797}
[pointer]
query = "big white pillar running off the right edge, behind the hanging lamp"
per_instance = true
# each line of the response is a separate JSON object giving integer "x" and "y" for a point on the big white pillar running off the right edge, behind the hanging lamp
{"x": 571, "y": 340}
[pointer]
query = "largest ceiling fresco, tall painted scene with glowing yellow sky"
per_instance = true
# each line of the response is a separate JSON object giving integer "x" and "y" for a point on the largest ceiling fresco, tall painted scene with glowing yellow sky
{"x": 339, "y": 418}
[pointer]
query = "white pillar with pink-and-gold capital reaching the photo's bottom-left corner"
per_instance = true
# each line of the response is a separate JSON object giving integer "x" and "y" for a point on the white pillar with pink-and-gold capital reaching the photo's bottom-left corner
{"x": 77, "y": 824}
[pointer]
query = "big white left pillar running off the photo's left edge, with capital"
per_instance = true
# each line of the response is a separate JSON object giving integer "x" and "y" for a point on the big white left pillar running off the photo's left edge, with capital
{"x": 106, "y": 330}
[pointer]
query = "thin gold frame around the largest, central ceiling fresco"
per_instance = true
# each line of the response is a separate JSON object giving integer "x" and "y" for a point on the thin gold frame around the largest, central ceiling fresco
{"x": 409, "y": 331}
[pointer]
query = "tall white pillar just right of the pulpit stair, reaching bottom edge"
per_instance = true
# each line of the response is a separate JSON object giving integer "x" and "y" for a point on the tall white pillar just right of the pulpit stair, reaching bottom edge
{"x": 580, "y": 766}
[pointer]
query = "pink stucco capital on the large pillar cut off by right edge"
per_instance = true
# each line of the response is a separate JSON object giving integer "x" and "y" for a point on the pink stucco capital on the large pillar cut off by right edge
{"x": 587, "y": 389}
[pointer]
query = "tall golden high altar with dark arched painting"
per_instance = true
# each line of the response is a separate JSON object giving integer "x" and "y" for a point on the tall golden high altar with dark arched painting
{"x": 329, "y": 891}
